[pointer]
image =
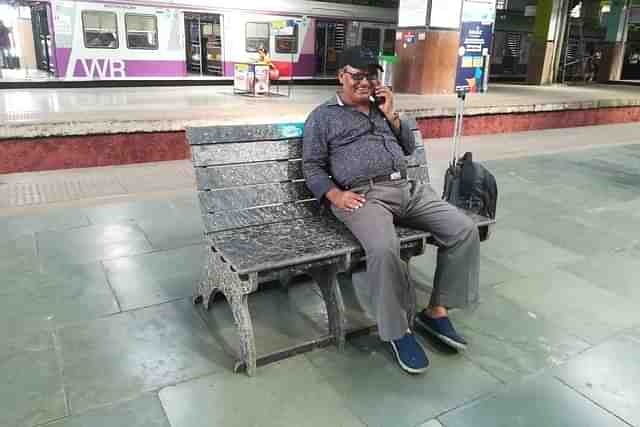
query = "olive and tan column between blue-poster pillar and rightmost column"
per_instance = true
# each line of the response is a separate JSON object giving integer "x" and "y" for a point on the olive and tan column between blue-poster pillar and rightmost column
{"x": 546, "y": 47}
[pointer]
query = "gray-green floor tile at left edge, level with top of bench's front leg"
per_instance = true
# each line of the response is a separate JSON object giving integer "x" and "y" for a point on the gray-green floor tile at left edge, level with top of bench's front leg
{"x": 56, "y": 297}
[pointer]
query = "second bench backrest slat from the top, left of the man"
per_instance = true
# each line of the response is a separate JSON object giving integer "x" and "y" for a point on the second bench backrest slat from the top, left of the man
{"x": 248, "y": 152}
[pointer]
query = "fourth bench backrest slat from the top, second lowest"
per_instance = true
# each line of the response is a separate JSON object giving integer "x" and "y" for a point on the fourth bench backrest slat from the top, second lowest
{"x": 255, "y": 195}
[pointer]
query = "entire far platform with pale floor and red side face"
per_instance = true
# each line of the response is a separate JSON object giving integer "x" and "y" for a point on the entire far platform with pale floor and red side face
{"x": 48, "y": 129}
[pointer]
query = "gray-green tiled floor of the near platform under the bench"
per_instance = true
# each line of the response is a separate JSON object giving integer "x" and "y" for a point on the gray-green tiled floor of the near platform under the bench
{"x": 97, "y": 328}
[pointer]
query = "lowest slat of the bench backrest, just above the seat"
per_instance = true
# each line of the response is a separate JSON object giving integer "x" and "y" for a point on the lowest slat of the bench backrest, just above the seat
{"x": 229, "y": 220}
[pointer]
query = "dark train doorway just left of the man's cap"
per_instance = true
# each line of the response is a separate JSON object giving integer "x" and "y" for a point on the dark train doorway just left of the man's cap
{"x": 330, "y": 42}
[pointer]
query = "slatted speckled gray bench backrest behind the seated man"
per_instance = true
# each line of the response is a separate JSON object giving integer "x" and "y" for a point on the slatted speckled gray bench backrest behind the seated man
{"x": 252, "y": 174}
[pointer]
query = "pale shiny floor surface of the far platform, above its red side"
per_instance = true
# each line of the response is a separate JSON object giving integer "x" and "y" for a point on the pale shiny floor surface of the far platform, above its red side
{"x": 47, "y": 112}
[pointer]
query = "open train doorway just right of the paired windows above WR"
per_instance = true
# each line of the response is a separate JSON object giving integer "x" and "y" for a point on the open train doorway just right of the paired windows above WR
{"x": 203, "y": 36}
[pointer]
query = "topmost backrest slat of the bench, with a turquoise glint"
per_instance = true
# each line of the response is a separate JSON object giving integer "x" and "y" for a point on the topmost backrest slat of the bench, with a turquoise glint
{"x": 240, "y": 133}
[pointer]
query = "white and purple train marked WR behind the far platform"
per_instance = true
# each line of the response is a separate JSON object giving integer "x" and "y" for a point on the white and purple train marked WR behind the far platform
{"x": 112, "y": 39}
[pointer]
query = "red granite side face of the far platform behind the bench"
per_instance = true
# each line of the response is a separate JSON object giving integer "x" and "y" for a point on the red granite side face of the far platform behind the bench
{"x": 65, "y": 152}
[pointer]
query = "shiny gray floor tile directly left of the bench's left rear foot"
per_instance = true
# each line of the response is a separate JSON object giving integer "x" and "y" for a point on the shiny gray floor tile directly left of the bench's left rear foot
{"x": 148, "y": 279}
